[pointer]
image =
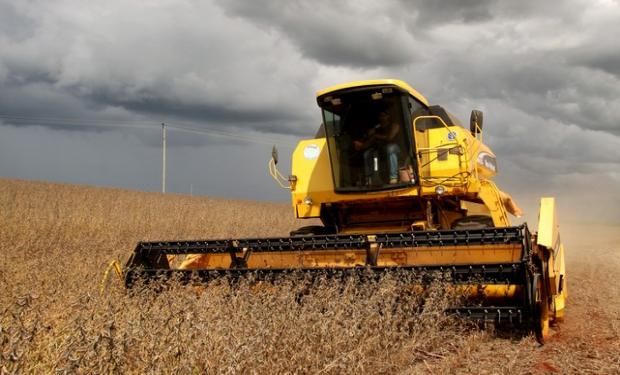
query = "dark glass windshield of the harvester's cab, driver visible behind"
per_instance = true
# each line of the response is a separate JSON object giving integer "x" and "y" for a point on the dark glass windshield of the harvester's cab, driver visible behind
{"x": 368, "y": 138}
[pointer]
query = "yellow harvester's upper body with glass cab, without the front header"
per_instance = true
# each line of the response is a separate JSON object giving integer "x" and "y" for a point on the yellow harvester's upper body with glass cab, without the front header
{"x": 386, "y": 160}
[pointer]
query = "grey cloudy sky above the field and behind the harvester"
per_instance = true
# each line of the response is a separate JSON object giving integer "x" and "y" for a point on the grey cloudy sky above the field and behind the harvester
{"x": 85, "y": 87}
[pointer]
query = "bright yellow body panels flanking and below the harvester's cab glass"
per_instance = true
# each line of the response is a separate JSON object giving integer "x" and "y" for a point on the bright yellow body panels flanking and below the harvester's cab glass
{"x": 459, "y": 173}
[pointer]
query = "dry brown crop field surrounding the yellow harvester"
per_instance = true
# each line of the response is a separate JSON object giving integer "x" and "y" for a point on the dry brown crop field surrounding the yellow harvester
{"x": 57, "y": 240}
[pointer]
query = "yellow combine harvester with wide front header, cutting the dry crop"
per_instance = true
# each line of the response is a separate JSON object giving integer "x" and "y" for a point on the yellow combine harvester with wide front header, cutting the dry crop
{"x": 397, "y": 184}
